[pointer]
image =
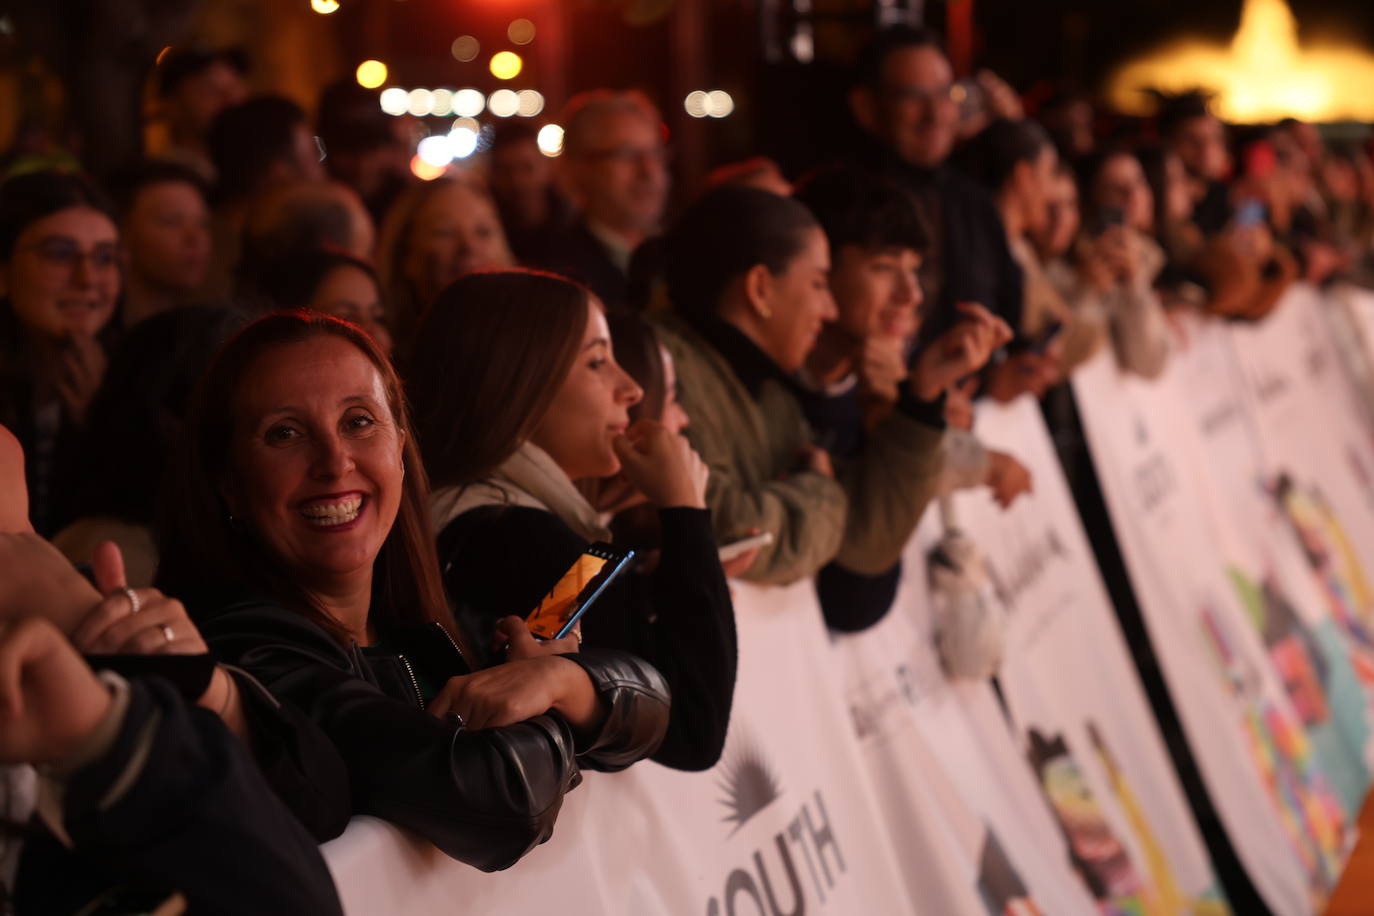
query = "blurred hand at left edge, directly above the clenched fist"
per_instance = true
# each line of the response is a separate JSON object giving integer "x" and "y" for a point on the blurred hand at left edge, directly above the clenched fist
{"x": 42, "y": 583}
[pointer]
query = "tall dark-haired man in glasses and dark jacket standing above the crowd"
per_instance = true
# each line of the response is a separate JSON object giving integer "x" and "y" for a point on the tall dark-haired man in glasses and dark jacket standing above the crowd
{"x": 908, "y": 105}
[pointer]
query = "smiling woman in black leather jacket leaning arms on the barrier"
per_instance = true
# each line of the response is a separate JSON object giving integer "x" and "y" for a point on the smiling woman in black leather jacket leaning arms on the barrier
{"x": 300, "y": 535}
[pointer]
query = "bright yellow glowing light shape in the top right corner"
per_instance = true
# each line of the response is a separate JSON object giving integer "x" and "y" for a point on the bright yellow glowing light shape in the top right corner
{"x": 1265, "y": 75}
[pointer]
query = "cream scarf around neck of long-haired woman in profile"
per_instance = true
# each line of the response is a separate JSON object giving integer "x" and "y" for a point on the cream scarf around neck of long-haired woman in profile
{"x": 528, "y": 479}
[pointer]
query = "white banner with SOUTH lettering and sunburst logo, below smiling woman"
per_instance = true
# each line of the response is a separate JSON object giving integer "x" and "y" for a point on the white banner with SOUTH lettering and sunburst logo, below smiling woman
{"x": 787, "y": 823}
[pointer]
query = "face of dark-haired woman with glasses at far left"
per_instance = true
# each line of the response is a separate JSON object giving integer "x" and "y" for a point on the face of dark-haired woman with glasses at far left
{"x": 64, "y": 274}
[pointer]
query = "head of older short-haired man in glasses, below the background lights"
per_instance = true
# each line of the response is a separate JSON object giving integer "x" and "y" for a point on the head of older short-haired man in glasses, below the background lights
{"x": 615, "y": 165}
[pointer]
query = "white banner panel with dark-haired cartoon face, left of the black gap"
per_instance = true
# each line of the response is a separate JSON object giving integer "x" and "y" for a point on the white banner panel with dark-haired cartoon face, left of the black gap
{"x": 1072, "y": 693}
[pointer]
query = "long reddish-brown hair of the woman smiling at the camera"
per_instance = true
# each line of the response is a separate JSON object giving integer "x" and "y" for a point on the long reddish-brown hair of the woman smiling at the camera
{"x": 201, "y": 547}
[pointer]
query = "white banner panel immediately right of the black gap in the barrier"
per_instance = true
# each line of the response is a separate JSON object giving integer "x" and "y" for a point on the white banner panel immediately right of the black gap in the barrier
{"x": 1263, "y": 774}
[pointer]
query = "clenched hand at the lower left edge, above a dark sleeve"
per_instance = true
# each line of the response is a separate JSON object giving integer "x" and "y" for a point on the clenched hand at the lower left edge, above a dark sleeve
{"x": 50, "y": 700}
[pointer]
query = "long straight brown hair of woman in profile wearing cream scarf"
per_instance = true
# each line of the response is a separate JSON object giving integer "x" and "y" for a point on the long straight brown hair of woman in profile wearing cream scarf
{"x": 488, "y": 360}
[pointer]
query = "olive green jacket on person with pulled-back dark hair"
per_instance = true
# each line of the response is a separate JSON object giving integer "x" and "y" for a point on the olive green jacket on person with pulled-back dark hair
{"x": 862, "y": 520}
